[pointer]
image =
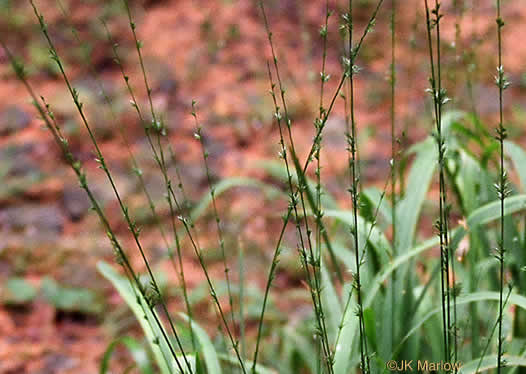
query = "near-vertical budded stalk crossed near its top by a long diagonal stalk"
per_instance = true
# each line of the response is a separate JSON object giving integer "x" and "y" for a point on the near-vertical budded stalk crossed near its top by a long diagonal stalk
{"x": 354, "y": 192}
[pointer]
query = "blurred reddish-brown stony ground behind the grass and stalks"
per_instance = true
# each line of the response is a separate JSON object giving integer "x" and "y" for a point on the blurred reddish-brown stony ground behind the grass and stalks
{"x": 57, "y": 314}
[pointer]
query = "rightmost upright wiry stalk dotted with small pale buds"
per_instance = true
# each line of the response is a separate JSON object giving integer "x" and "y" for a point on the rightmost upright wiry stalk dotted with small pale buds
{"x": 502, "y": 187}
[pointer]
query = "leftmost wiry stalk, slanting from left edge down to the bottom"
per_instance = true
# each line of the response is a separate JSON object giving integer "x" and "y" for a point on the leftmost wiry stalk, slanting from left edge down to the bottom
{"x": 152, "y": 295}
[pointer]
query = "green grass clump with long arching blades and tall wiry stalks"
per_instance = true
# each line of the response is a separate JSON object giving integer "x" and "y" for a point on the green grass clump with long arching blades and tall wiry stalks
{"x": 372, "y": 284}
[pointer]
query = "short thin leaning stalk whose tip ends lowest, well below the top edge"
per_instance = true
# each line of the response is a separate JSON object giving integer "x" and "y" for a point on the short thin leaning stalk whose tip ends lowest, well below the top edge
{"x": 199, "y": 136}
